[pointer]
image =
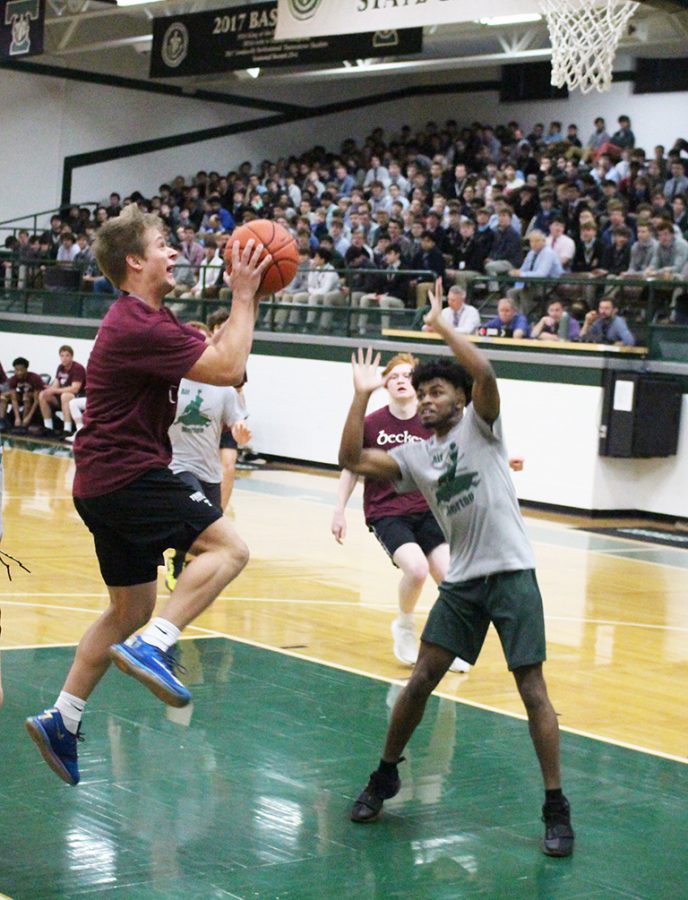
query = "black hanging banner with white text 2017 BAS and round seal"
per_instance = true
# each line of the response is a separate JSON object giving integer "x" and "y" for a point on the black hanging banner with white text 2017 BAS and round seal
{"x": 243, "y": 38}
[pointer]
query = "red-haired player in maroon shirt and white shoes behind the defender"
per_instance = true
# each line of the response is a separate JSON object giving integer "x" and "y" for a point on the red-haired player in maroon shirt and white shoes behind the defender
{"x": 402, "y": 523}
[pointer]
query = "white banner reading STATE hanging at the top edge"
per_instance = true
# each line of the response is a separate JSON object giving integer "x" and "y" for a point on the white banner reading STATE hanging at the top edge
{"x": 309, "y": 18}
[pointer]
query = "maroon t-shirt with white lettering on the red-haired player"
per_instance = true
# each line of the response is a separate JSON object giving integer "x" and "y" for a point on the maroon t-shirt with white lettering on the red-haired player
{"x": 383, "y": 431}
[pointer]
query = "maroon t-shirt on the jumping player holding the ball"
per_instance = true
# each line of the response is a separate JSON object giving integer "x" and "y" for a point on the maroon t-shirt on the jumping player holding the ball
{"x": 139, "y": 357}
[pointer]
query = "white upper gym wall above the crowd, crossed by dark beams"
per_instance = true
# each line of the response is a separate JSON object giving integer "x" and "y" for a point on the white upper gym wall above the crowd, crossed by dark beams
{"x": 45, "y": 119}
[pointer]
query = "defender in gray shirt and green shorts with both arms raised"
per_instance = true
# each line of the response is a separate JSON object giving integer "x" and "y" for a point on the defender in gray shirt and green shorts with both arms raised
{"x": 462, "y": 471}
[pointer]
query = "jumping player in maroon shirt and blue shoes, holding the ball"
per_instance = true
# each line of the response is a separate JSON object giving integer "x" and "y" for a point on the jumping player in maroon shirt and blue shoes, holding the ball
{"x": 124, "y": 491}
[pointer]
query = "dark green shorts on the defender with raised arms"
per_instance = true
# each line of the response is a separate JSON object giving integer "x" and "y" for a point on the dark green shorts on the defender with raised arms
{"x": 510, "y": 600}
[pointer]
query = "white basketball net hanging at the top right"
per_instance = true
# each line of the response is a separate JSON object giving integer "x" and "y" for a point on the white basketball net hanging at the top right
{"x": 584, "y": 35}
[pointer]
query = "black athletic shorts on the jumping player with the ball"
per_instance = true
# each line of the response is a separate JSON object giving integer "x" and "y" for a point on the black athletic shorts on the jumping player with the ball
{"x": 132, "y": 526}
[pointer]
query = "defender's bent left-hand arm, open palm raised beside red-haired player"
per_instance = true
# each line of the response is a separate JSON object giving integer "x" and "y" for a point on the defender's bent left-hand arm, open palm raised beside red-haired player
{"x": 352, "y": 456}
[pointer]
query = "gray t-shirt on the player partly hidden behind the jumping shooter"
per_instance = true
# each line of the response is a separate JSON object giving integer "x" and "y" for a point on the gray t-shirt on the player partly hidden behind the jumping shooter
{"x": 202, "y": 410}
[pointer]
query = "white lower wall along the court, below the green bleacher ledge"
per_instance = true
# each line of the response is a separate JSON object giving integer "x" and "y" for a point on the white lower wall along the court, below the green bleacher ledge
{"x": 298, "y": 406}
